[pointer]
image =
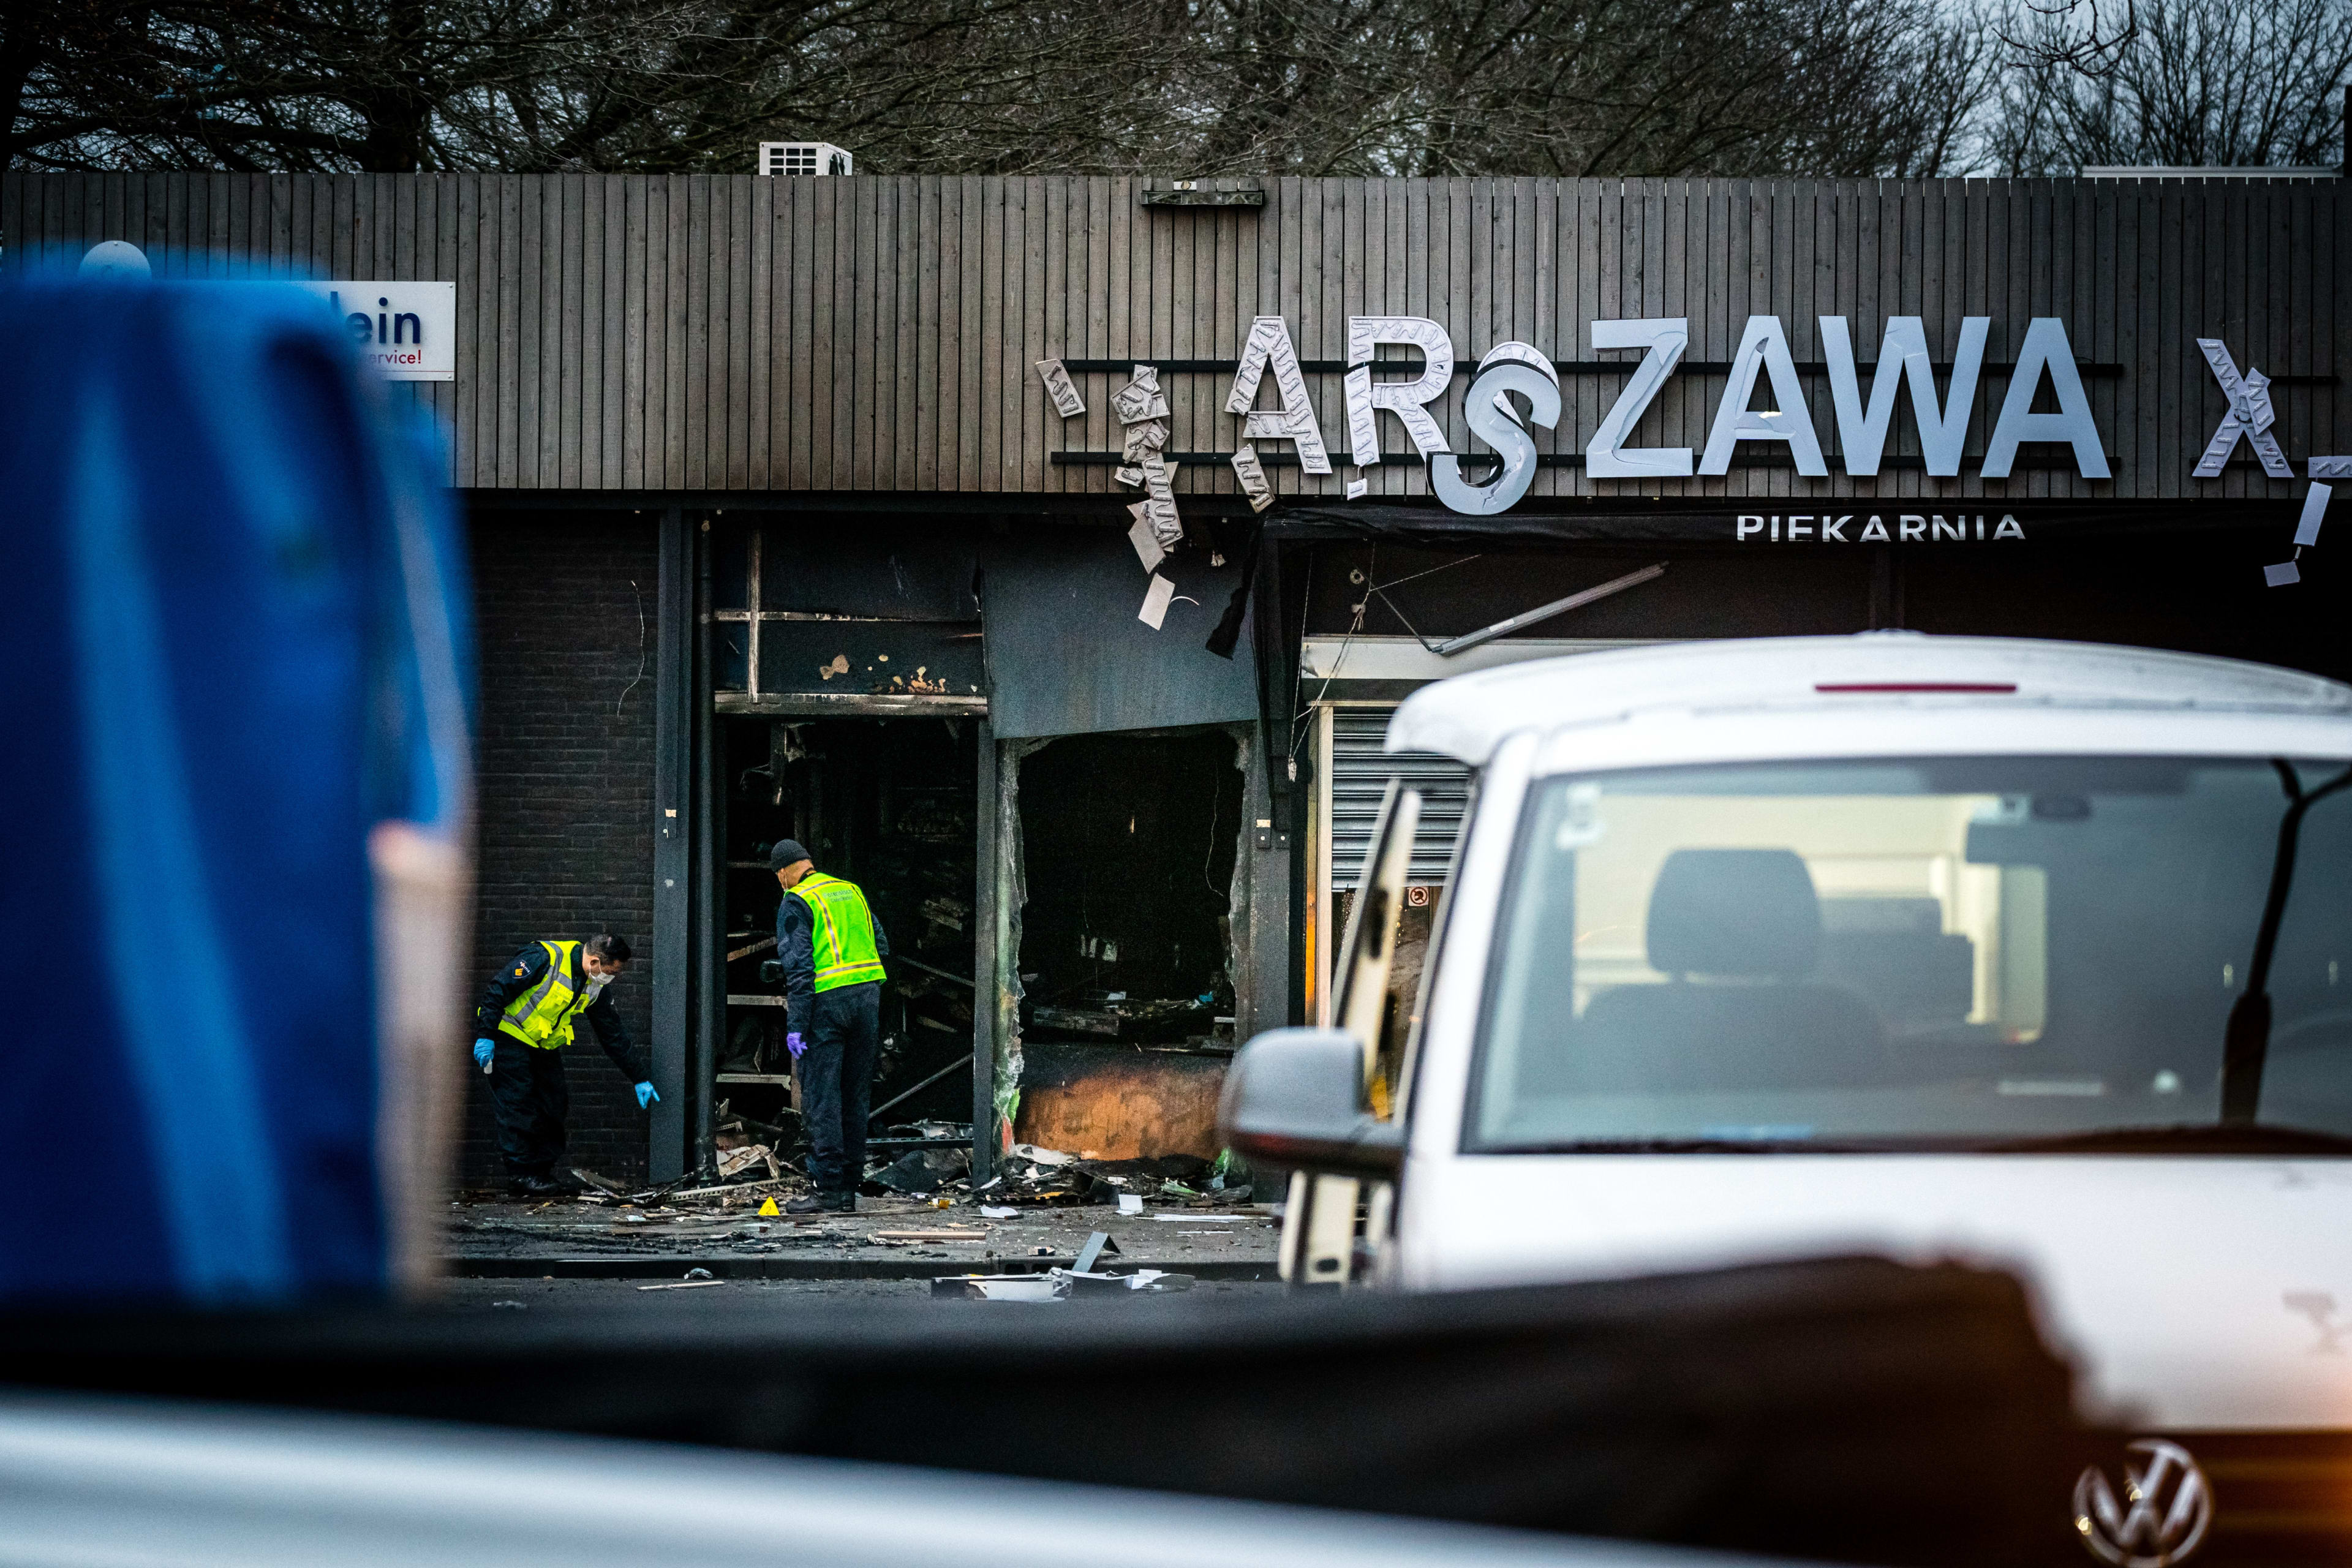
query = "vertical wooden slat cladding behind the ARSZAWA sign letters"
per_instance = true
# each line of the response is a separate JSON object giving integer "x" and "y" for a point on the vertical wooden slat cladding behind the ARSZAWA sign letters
{"x": 876, "y": 335}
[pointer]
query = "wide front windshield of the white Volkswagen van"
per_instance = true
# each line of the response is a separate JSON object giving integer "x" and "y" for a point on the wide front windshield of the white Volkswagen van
{"x": 1923, "y": 953}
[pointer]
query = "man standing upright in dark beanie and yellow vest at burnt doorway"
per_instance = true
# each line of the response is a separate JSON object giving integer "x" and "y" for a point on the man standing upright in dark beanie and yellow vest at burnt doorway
{"x": 831, "y": 951}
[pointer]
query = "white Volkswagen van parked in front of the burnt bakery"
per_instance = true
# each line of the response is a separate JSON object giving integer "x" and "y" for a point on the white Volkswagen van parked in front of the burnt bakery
{"x": 2019, "y": 953}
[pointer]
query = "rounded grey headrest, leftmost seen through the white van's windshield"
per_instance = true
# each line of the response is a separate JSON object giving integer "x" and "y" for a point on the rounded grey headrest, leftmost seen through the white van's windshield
{"x": 1735, "y": 913}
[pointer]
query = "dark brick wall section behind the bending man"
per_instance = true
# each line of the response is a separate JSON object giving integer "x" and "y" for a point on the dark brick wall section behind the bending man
{"x": 566, "y": 782}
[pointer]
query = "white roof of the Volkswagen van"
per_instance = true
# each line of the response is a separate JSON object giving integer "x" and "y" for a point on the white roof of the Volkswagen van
{"x": 1469, "y": 716}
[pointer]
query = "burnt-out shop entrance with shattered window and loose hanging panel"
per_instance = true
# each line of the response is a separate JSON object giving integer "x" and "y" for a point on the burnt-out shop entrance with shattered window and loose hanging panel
{"x": 1043, "y": 800}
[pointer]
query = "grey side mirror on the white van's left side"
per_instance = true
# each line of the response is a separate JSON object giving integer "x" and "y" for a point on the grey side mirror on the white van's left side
{"x": 1297, "y": 1099}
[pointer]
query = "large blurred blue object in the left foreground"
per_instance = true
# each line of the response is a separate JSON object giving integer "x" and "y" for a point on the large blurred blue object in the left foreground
{"x": 236, "y": 641}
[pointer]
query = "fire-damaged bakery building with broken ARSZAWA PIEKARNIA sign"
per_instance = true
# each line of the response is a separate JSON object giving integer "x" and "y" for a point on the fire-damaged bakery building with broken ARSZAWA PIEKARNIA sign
{"x": 1048, "y": 554}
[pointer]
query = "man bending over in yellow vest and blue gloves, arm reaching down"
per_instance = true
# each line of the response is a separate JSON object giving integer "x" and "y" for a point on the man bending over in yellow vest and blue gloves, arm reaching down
{"x": 526, "y": 1021}
